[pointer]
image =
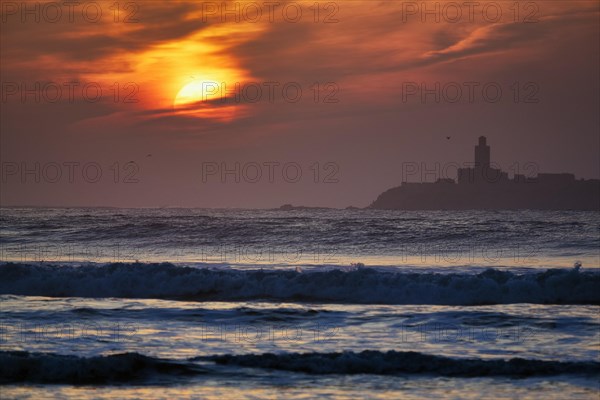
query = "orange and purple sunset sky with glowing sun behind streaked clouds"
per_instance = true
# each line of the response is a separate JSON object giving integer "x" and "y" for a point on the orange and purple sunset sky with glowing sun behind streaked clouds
{"x": 257, "y": 104}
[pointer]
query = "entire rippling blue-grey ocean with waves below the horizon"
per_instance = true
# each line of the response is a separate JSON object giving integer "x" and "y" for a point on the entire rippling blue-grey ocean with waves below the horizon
{"x": 311, "y": 303}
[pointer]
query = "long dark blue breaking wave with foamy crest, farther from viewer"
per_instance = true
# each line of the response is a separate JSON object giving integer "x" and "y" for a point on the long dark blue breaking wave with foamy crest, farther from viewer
{"x": 358, "y": 286}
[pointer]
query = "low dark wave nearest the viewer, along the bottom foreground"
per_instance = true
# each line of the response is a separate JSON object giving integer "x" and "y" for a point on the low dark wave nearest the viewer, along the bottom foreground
{"x": 21, "y": 366}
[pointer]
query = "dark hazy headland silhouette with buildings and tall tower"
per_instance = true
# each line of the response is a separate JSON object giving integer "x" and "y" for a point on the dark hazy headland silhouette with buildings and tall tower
{"x": 481, "y": 186}
